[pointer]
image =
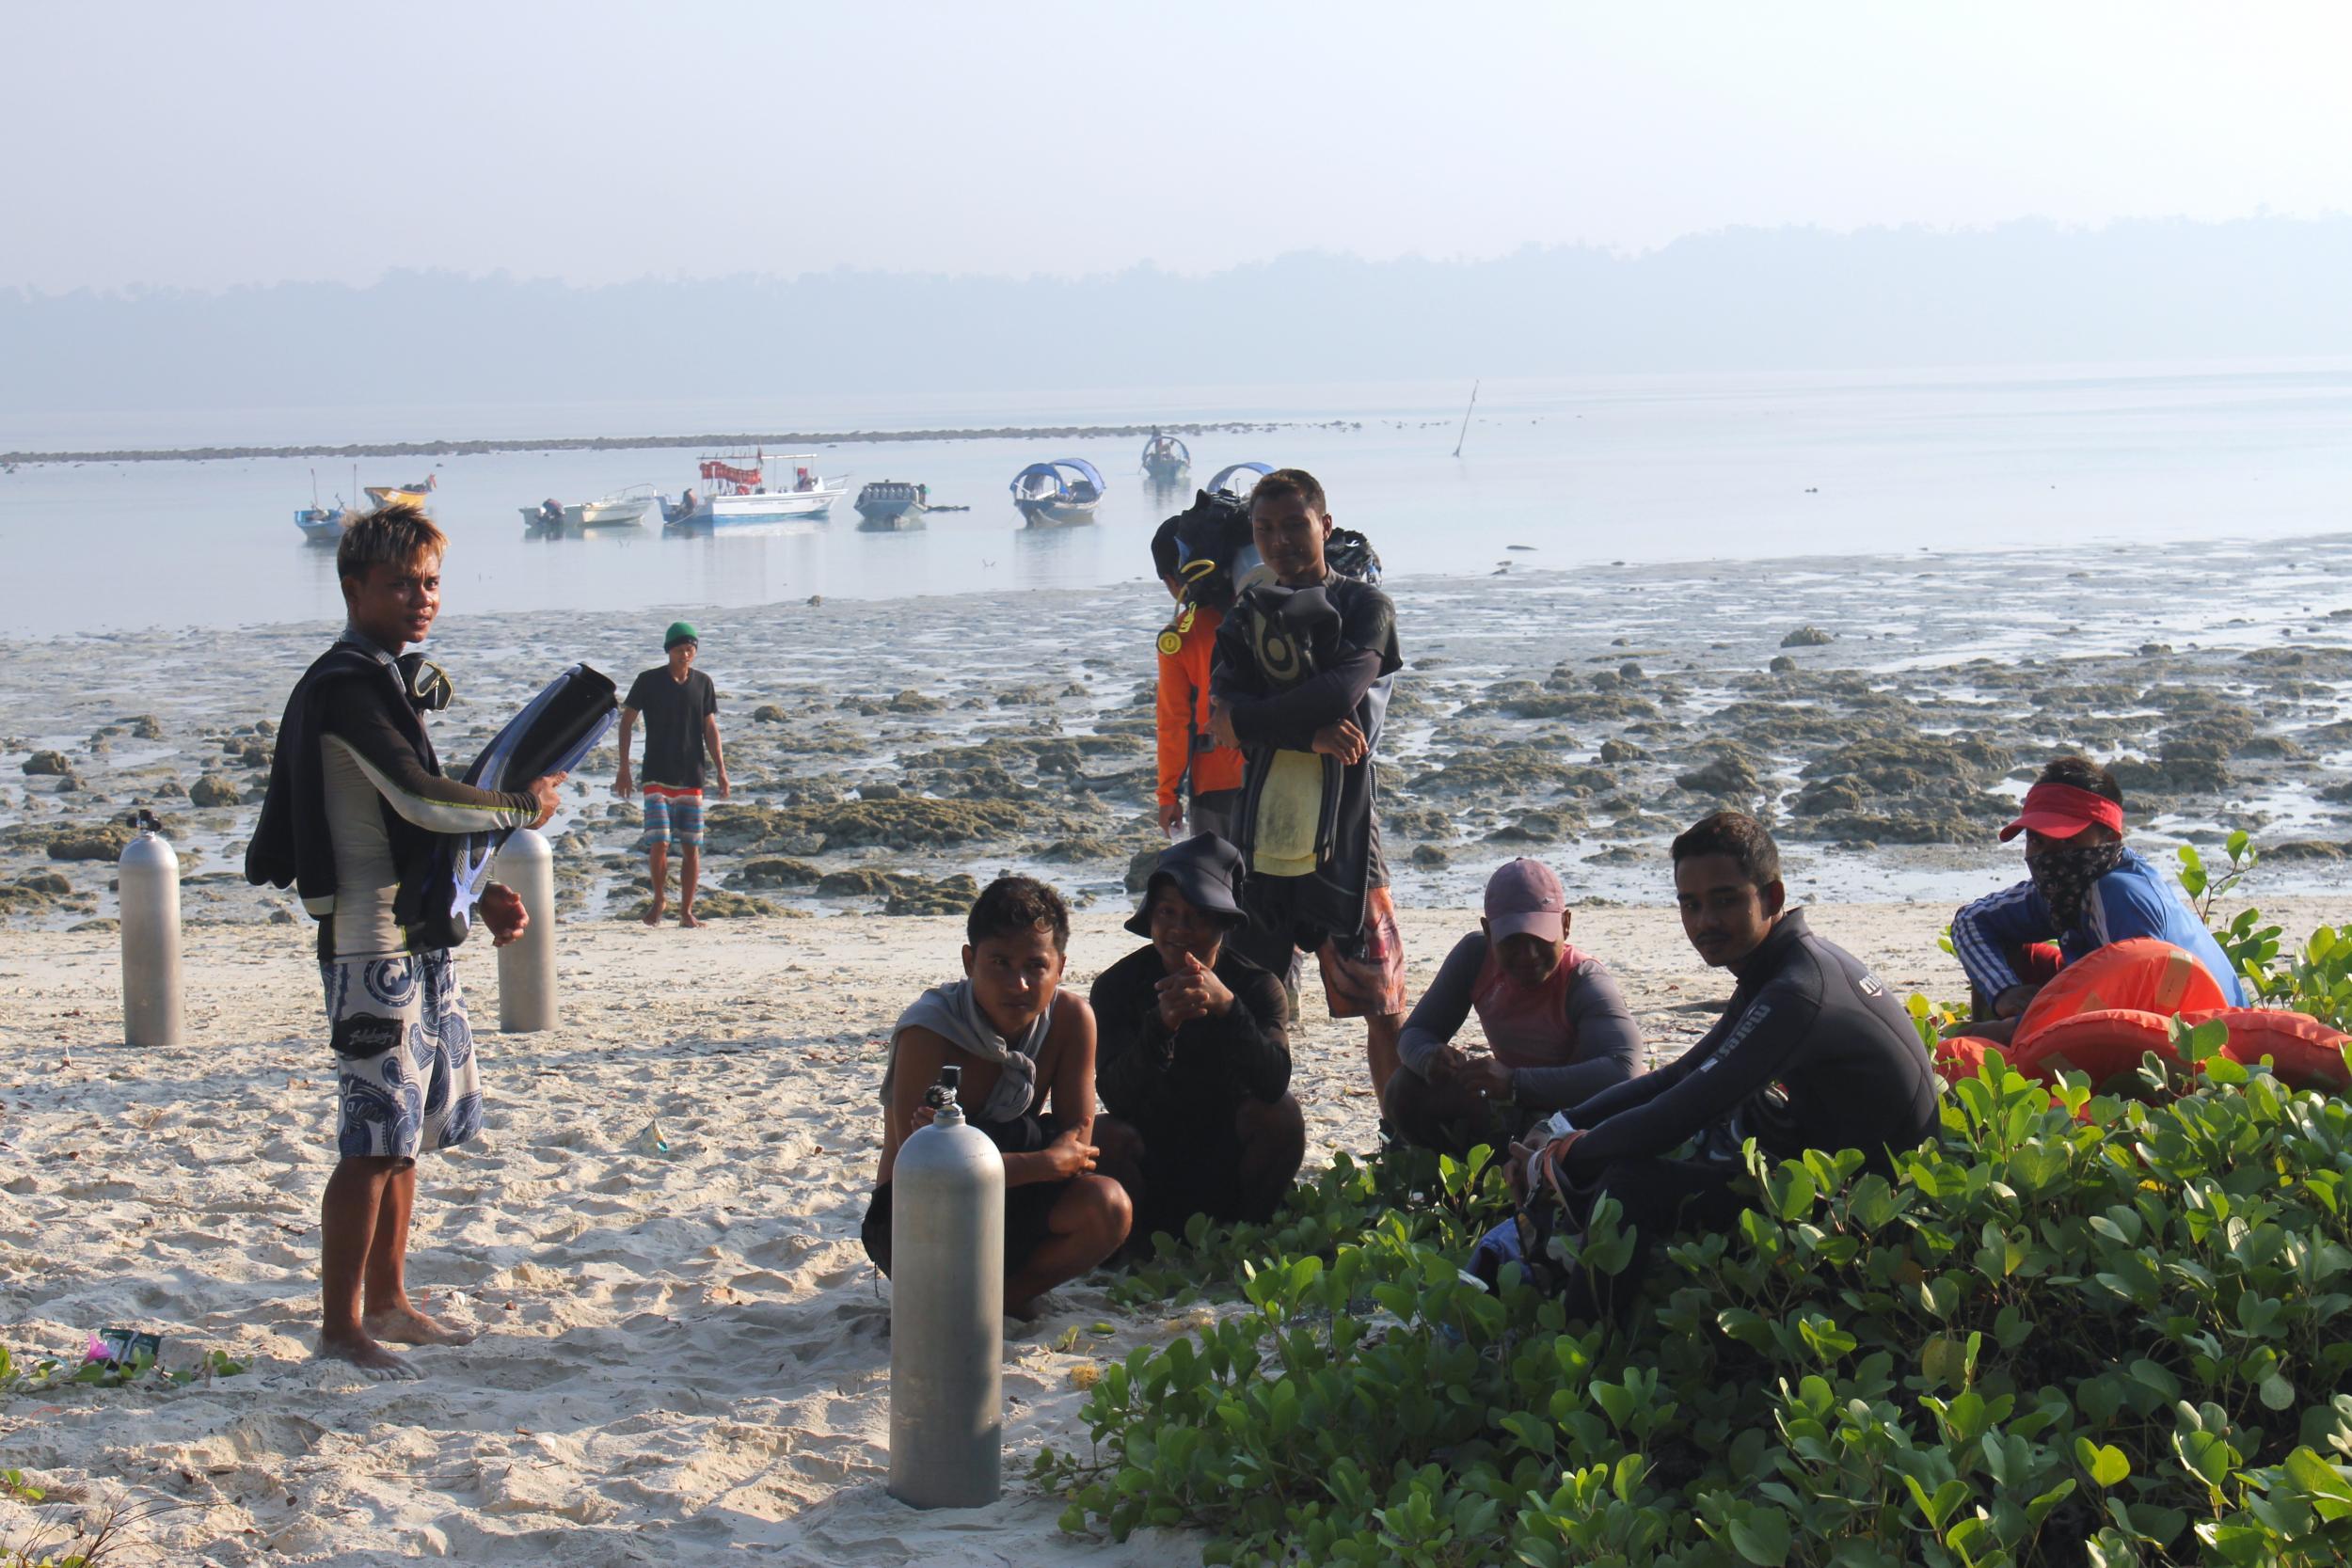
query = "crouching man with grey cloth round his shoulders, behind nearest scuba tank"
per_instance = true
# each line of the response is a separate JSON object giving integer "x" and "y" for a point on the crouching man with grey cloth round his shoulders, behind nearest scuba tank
{"x": 1022, "y": 1043}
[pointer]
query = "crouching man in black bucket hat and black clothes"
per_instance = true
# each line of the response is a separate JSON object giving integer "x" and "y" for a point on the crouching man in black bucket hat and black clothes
{"x": 1196, "y": 1054}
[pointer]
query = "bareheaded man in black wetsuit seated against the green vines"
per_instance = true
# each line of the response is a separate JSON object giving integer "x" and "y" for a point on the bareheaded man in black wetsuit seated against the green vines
{"x": 1812, "y": 1054}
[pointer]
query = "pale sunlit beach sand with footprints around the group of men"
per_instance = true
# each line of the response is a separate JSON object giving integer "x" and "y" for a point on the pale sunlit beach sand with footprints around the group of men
{"x": 686, "y": 1355}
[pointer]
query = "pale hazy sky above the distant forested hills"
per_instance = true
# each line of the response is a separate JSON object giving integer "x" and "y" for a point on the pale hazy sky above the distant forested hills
{"x": 222, "y": 145}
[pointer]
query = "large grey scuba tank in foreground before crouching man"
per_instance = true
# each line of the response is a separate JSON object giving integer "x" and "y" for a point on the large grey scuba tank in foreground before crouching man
{"x": 947, "y": 1315}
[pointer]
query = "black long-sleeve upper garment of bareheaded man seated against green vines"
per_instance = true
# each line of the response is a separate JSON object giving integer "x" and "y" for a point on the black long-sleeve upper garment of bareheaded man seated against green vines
{"x": 1805, "y": 1017}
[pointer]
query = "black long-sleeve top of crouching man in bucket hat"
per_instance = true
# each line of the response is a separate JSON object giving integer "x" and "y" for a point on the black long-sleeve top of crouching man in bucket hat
{"x": 1198, "y": 1076}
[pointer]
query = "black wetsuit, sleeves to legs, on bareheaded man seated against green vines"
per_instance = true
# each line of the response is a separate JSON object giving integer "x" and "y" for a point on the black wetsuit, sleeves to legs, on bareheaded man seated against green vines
{"x": 1812, "y": 1054}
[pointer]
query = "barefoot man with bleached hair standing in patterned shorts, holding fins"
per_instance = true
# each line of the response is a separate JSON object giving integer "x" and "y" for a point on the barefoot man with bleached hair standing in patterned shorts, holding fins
{"x": 352, "y": 819}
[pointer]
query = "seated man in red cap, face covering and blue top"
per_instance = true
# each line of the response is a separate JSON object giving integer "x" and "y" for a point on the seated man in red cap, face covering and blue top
{"x": 2083, "y": 892}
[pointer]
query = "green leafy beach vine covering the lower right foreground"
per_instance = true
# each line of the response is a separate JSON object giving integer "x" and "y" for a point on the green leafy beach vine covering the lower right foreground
{"x": 2071, "y": 1329}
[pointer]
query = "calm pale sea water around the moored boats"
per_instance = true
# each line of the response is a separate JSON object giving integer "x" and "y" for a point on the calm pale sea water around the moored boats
{"x": 1553, "y": 476}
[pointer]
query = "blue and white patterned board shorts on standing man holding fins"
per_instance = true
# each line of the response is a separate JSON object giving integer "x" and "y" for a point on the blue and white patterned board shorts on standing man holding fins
{"x": 403, "y": 1050}
